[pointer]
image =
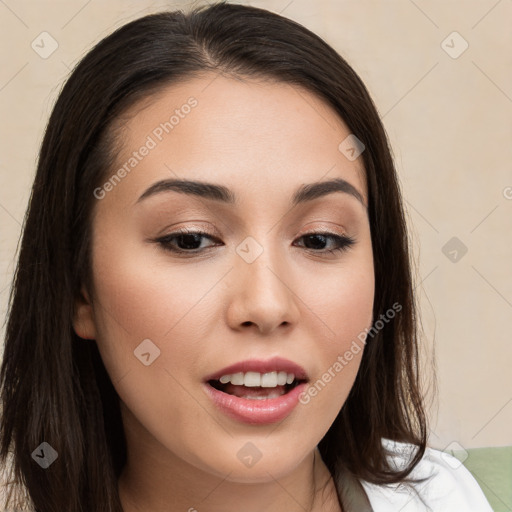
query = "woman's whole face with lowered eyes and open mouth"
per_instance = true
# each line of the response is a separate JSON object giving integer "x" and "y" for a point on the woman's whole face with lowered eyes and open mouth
{"x": 249, "y": 280}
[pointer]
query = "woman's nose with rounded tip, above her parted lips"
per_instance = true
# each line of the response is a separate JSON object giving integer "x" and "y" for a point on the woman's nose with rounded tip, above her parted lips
{"x": 261, "y": 293}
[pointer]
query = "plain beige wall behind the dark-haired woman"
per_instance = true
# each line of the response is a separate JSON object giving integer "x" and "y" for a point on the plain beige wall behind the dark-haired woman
{"x": 448, "y": 114}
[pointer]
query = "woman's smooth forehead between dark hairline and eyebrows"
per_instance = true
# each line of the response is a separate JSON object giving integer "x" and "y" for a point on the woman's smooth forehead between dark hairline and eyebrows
{"x": 251, "y": 135}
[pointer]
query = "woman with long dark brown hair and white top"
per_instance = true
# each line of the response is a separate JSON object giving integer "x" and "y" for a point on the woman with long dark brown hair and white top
{"x": 213, "y": 306}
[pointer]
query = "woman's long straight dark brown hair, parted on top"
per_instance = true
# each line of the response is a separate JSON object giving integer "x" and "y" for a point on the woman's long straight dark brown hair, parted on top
{"x": 54, "y": 387}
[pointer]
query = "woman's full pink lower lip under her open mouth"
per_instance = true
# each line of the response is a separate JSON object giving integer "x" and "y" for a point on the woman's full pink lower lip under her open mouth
{"x": 256, "y": 412}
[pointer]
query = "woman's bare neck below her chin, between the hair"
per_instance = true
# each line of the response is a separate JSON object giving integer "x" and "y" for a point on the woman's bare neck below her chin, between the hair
{"x": 159, "y": 481}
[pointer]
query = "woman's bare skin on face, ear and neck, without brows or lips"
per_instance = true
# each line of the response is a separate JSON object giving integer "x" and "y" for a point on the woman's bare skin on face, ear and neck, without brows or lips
{"x": 262, "y": 139}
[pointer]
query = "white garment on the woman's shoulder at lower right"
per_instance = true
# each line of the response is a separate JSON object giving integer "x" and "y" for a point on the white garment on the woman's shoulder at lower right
{"x": 448, "y": 486}
